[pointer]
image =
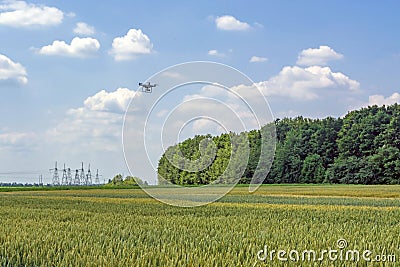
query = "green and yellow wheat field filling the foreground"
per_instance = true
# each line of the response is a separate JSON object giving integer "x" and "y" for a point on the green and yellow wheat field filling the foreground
{"x": 125, "y": 227}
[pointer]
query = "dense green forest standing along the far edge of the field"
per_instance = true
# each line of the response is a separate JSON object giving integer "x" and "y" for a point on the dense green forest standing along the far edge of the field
{"x": 361, "y": 148}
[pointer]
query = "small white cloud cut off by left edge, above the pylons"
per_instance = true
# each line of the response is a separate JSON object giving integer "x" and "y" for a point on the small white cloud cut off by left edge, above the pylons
{"x": 10, "y": 70}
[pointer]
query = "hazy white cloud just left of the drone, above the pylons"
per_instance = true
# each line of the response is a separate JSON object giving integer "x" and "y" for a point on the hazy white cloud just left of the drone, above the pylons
{"x": 97, "y": 124}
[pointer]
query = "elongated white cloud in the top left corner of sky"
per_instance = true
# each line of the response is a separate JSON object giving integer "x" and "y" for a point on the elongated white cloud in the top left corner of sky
{"x": 22, "y": 14}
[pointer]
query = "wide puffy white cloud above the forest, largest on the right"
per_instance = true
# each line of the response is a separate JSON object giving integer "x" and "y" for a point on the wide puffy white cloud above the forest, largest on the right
{"x": 304, "y": 83}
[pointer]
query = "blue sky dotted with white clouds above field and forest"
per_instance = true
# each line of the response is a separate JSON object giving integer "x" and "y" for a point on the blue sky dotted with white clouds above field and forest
{"x": 69, "y": 70}
